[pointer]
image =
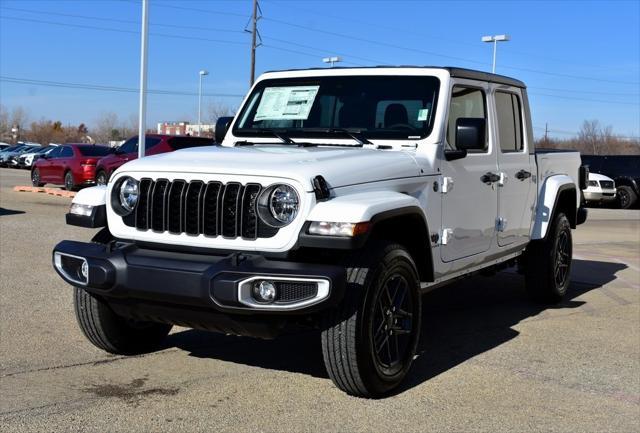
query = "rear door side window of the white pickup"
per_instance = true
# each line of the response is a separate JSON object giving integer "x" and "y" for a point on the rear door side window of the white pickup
{"x": 509, "y": 122}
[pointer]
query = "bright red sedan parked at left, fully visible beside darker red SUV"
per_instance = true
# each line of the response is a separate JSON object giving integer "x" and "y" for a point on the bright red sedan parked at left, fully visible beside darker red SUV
{"x": 71, "y": 165}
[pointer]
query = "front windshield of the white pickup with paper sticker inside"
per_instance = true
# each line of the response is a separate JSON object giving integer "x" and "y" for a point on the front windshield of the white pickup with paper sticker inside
{"x": 391, "y": 107}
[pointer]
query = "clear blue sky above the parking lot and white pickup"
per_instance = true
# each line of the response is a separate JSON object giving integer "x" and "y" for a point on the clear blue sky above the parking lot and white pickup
{"x": 75, "y": 60}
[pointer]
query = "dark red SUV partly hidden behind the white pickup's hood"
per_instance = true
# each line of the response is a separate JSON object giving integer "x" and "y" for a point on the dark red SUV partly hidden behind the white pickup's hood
{"x": 154, "y": 144}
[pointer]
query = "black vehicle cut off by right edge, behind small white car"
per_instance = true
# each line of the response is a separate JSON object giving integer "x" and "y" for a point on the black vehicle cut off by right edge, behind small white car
{"x": 624, "y": 170}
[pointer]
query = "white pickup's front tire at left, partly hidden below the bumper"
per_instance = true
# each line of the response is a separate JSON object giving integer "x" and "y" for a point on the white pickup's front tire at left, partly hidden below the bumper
{"x": 112, "y": 333}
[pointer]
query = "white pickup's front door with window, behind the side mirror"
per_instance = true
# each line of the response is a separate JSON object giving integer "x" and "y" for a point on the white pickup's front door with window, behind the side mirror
{"x": 469, "y": 208}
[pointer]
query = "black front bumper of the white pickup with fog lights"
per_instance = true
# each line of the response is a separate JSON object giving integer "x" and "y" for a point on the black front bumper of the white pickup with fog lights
{"x": 126, "y": 273}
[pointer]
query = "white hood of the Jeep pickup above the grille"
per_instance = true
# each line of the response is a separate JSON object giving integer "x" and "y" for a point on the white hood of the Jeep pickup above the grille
{"x": 340, "y": 166}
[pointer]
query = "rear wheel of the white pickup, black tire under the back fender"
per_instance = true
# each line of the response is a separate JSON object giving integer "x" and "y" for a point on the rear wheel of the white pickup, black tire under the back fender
{"x": 548, "y": 263}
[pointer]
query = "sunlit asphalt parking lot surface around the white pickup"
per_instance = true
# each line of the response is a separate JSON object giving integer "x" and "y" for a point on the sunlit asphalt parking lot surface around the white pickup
{"x": 489, "y": 360}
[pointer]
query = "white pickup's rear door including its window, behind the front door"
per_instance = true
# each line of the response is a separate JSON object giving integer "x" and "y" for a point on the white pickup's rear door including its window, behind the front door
{"x": 516, "y": 190}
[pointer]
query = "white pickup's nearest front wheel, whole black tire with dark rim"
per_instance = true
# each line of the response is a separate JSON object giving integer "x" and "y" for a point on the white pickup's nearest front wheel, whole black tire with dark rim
{"x": 361, "y": 354}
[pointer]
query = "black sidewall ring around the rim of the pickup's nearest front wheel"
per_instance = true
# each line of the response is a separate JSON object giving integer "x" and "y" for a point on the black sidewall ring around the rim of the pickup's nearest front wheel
{"x": 396, "y": 261}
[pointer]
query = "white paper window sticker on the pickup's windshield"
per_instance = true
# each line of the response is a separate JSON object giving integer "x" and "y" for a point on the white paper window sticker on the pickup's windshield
{"x": 286, "y": 103}
